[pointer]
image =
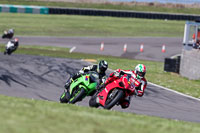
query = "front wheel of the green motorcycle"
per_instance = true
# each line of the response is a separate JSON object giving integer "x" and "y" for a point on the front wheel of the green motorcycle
{"x": 77, "y": 95}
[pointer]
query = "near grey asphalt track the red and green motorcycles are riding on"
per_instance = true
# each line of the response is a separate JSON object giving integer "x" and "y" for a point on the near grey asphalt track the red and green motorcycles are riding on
{"x": 43, "y": 78}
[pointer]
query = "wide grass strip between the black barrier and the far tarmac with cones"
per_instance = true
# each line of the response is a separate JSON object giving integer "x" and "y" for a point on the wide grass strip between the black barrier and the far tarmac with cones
{"x": 69, "y": 25}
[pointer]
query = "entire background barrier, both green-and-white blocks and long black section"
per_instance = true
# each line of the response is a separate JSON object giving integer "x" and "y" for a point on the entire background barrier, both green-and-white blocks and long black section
{"x": 95, "y": 12}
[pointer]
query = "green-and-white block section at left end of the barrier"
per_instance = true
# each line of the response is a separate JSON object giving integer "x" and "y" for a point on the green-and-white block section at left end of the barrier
{"x": 24, "y": 9}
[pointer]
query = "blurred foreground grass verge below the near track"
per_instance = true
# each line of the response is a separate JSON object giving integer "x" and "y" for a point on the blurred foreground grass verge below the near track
{"x": 20, "y": 115}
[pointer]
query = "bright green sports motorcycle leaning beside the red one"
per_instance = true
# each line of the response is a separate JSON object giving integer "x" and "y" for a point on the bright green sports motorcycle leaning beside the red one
{"x": 80, "y": 88}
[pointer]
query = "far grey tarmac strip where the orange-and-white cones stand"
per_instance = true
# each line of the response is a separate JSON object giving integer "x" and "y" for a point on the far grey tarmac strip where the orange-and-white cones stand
{"x": 112, "y": 46}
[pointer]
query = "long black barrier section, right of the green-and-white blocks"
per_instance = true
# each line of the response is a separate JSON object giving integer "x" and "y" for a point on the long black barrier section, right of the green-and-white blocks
{"x": 117, "y": 13}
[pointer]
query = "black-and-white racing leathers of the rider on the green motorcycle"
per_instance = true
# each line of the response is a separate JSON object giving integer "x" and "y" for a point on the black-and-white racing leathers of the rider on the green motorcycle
{"x": 102, "y": 75}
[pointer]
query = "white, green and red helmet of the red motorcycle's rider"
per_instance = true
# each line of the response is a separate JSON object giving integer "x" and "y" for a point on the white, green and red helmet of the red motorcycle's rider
{"x": 140, "y": 71}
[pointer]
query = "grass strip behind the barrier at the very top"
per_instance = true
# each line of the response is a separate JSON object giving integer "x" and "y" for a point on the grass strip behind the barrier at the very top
{"x": 106, "y": 6}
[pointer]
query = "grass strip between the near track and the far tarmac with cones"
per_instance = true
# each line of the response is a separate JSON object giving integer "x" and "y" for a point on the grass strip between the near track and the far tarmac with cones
{"x": 155, "y": 70}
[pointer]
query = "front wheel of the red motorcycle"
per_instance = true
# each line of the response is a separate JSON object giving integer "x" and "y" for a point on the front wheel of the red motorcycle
{"x": 113, "y": 98}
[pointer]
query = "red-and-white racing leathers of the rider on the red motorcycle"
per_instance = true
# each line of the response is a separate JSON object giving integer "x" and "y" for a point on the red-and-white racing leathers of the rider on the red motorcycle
{"x": 139, "y": 91}
